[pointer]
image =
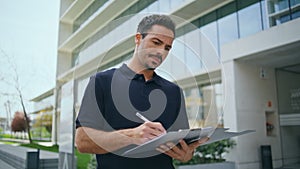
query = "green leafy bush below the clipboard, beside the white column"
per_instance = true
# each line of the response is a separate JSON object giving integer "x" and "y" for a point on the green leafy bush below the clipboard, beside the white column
{"x": 210, "y": 153}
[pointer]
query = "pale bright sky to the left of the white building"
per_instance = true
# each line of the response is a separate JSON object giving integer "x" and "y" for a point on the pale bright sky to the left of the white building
{"x": 28, "y": 41}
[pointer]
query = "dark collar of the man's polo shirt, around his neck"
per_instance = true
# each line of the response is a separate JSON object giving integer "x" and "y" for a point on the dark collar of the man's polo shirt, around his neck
{"x": 130, "y": 74}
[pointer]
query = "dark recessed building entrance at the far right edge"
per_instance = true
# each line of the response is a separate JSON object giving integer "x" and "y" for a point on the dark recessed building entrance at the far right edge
{"x": 288, "y": 90}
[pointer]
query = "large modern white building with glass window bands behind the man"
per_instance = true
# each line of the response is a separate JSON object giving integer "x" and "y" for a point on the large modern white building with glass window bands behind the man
{"x": 236, "y": 59}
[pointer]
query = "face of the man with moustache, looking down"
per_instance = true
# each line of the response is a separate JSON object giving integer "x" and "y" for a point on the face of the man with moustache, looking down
{"x": 154, "y": 47}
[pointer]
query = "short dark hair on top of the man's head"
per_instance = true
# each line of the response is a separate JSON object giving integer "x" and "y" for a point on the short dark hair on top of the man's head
{"x": 147, "y": 22}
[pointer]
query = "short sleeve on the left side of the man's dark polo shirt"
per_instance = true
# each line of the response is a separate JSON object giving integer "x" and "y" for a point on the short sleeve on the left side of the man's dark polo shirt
{"x": 90, "y": 114}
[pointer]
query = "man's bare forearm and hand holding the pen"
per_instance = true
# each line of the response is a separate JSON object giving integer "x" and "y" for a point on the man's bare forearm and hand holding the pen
{"x": 89, "y": 140}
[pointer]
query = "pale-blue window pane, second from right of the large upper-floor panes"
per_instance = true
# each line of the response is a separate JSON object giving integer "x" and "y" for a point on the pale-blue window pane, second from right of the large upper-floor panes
{"x": 228, "y": 30}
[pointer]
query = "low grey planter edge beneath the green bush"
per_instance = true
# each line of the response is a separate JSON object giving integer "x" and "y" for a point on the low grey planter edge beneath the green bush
{"x": 223, "y": 165}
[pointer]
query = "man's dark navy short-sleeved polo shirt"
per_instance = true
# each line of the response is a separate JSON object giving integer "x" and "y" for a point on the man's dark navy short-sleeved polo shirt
{"x": 111, "y": 101}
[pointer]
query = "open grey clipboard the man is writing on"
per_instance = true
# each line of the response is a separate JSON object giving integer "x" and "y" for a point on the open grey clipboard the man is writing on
{"x": 189, "y": 135}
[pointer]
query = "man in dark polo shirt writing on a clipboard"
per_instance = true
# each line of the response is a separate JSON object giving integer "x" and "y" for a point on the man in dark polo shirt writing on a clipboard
{"x": 107, "y": 124}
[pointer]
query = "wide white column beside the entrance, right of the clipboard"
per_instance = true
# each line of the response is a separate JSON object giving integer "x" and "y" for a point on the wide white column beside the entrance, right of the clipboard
{"x": 249, "y": 99}
